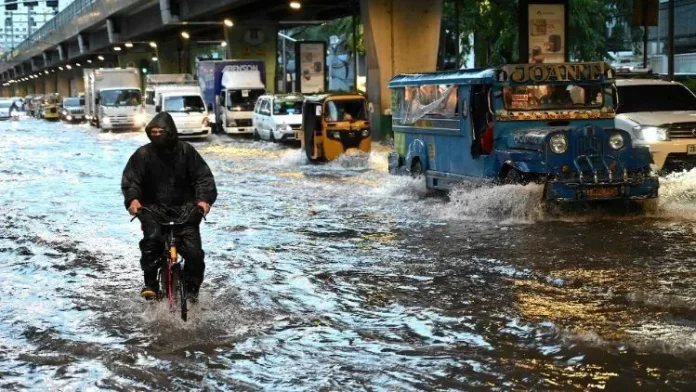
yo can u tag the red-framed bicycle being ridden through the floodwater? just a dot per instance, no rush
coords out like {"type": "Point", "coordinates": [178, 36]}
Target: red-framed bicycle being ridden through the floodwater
{"type": "Point", "coordinates": [170, 276]}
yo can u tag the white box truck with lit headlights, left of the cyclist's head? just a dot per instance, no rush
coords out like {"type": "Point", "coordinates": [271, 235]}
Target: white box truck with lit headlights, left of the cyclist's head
{"type": "Point", "coordinates": [113, 98]}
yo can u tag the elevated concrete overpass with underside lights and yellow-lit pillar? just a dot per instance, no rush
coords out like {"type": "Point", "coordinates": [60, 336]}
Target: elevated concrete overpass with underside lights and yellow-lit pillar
{"type": "Point", "coordinates": [400, 35]}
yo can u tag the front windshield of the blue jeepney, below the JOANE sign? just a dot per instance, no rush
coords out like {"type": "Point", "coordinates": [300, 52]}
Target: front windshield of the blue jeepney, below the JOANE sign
{"type": "Point", "coordinates": [553, 97]}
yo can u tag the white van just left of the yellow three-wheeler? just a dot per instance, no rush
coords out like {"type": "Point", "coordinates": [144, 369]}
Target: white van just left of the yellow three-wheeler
{"type": "Point", "coordinates": [278, 117]}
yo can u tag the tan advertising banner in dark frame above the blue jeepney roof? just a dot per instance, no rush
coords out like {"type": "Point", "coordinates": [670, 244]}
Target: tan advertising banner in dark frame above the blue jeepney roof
{"type": "Point", "coordinates": [547, 40]}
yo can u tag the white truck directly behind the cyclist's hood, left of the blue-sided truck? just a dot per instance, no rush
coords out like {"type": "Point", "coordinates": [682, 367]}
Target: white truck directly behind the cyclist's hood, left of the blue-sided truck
{"type": "Point", "coordinates": [180, 96]}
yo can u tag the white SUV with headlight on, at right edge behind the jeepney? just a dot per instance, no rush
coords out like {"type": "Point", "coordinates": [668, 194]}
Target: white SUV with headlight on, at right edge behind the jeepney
{"type": "Point", "coordinates": [661, 115]}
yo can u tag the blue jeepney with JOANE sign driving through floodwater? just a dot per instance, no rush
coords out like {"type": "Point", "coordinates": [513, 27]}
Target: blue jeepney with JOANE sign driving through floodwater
{"type": "Point", "coordinates": [551, 124]}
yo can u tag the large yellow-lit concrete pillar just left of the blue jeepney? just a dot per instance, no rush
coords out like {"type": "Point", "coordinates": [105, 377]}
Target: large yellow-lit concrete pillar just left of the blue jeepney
{"type": "Point", "coordinates": [400, 36]}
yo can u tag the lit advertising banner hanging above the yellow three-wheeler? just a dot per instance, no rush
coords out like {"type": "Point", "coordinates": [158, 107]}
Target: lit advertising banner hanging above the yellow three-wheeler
{"type": "Point", "coordinates": [311, 73]}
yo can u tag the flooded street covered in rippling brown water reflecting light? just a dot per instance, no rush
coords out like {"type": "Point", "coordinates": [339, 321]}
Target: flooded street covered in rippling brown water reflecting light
{"type": "Point", "coordinates": [335, 277]}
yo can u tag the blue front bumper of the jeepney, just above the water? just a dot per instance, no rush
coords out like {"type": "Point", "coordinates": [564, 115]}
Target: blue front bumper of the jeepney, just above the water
{"type": "Point", "coordinates": [627, 190]}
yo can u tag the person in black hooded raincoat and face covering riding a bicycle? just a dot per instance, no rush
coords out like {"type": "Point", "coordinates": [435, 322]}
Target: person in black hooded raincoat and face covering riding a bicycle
{"type": "Point", "coordinates": [170, 177]}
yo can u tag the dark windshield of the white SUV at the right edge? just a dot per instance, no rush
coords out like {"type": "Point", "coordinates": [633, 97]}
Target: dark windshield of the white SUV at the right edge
{"type": "Point", "coordinates": [655, 98]}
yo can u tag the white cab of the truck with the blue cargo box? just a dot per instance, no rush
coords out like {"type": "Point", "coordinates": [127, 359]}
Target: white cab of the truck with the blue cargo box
{"type": "Point", "coordinates": [240, 90]}
